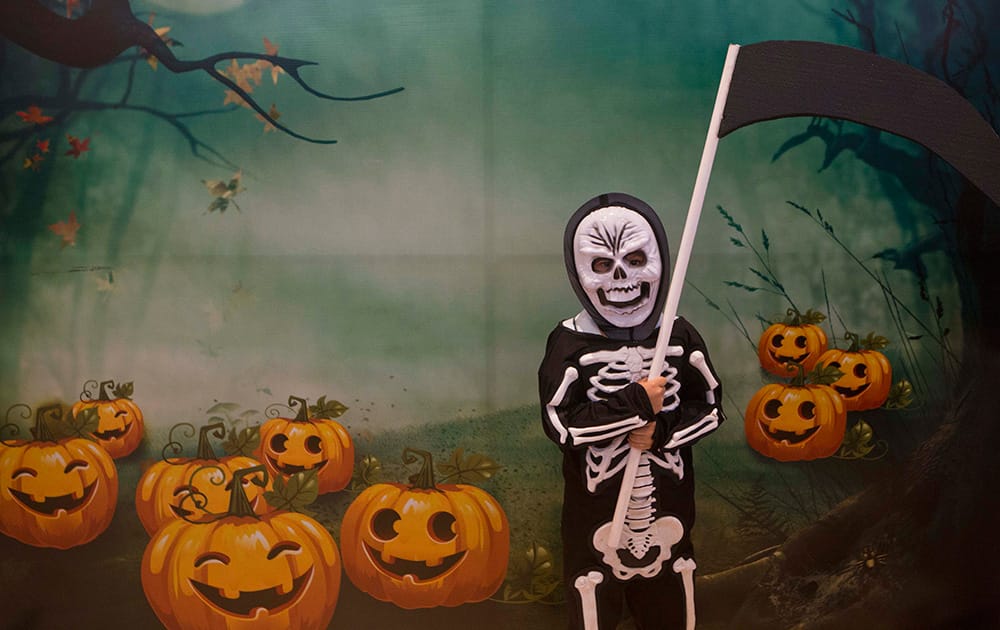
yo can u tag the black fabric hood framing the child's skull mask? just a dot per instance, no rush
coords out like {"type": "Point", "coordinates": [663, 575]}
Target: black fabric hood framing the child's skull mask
{"type": "Point", "coordinates": [646, 328]}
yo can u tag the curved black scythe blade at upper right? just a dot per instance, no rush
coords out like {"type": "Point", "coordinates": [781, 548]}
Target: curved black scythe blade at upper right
{"type": "Point", "coordinates": [779, 79]}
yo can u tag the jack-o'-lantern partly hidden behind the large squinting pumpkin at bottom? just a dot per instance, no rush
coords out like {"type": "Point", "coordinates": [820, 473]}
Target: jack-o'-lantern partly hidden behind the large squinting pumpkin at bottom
{"type": "Point", "coordinates": [195, 489]}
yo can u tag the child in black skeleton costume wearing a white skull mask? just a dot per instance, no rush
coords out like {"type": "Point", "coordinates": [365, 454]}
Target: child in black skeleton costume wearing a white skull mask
{"type": "Point", "coordinates": [598, 399]}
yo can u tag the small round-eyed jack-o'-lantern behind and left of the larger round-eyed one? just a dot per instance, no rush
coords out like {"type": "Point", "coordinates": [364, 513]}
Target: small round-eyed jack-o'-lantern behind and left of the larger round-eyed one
{"type": "Point", "coordinates": [309, 442]}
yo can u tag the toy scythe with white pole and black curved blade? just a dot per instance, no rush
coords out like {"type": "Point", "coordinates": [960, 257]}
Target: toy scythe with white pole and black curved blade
{"type": "Point", "coordinates": [781, 79]}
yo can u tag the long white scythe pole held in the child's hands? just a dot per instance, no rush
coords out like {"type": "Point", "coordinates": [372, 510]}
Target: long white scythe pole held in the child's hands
{"type": "Point", "coordinates": [677, 279]}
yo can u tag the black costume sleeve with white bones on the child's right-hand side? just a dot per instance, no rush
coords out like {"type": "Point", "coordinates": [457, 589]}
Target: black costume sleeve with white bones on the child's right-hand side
{"type": "Point", "coordinates": [700, 411]}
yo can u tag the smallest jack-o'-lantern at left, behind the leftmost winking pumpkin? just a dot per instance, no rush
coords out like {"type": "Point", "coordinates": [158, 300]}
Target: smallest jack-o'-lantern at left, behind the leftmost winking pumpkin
{"type": "Point", "coordinates": [121, 428]}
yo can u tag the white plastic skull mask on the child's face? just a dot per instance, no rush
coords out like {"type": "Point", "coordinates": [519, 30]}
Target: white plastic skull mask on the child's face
{"type": "Point", "coordinates": [618, 264]}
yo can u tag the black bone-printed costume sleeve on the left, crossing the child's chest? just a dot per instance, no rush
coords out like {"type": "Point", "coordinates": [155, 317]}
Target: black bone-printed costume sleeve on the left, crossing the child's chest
{"type": "Point", "coordinates": [569, 417]}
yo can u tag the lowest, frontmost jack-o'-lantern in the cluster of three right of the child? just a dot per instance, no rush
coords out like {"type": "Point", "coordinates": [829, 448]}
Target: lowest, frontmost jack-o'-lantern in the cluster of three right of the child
{"type": "Point", "coordinates": [797, 421]}
